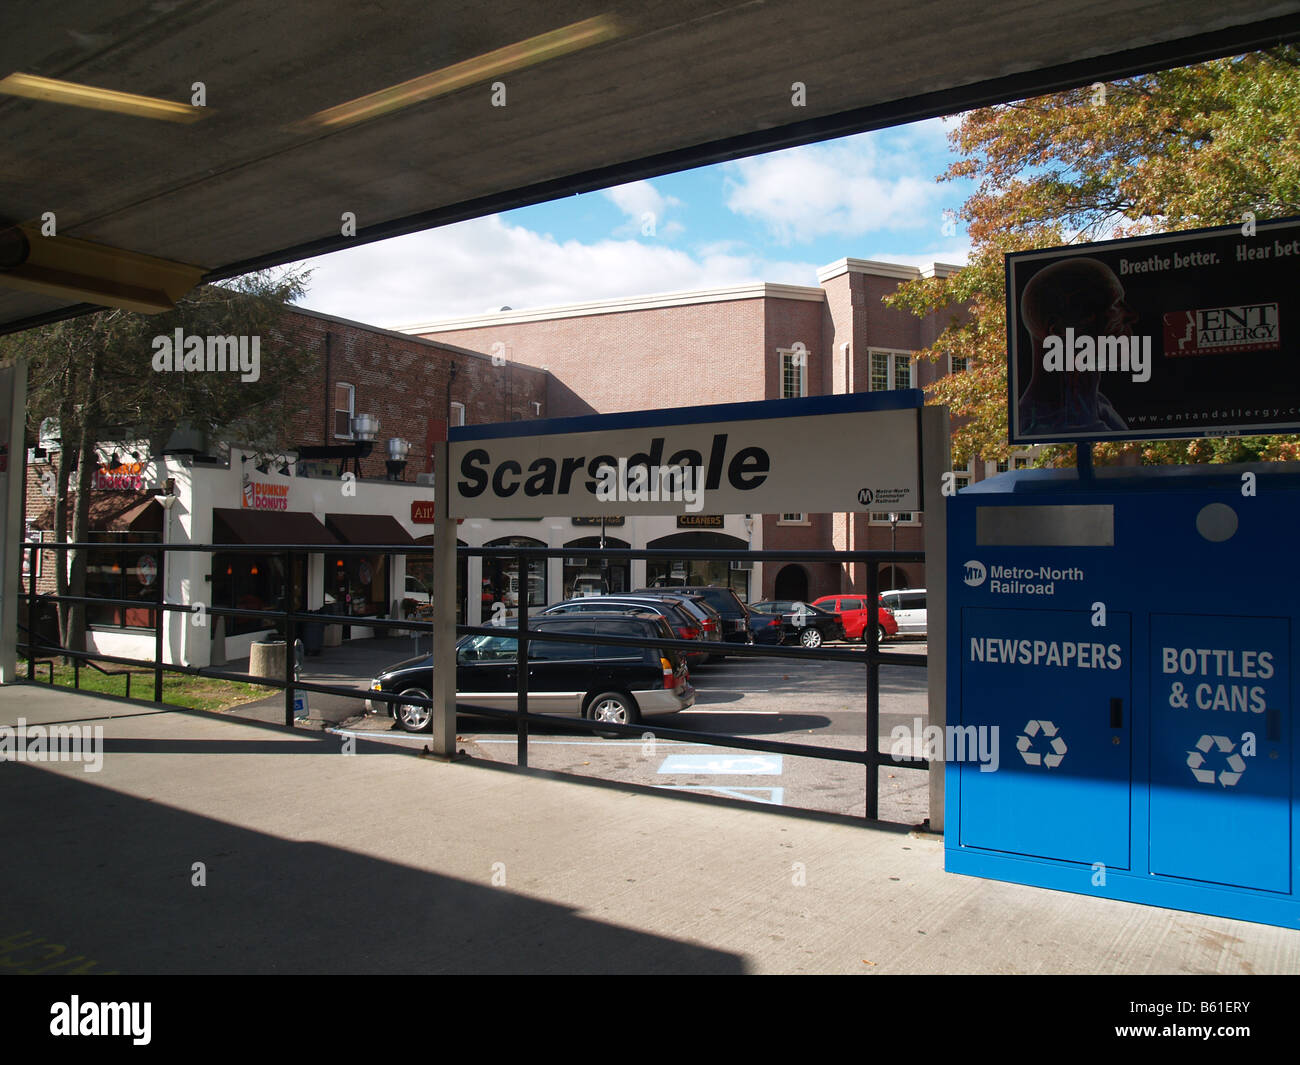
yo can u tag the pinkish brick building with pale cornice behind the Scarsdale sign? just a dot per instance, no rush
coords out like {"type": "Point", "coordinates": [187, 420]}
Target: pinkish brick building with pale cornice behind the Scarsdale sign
{"type": "Point", "coordinates": [746, 343]}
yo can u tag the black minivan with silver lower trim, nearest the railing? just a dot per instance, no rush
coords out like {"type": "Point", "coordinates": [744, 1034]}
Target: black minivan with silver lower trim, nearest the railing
{"type": "Point", "coordinates": [595, 681]}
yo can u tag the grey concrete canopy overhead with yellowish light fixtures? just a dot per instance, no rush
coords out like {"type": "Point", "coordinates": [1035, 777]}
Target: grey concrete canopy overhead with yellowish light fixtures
{"type": "Point", "coordinates": [596, 94]}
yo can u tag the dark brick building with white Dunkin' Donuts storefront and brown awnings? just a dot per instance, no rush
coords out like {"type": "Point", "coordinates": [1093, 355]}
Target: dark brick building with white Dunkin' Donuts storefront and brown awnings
{"type": "Point", "coordinates": [215, 492]}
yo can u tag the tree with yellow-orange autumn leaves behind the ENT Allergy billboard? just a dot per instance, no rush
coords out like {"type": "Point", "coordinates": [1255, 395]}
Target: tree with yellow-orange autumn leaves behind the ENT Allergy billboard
{"type": "Point", "coordinates": [1198, 146]}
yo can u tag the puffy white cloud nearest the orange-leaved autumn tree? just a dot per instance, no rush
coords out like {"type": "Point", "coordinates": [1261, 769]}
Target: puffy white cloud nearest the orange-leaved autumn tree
{"type": "Point", "coordinates": [847, 188]}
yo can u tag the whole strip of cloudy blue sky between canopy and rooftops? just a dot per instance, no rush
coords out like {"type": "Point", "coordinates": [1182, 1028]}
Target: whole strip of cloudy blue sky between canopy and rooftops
{"type": "Point", "coordinates": [774, 218]}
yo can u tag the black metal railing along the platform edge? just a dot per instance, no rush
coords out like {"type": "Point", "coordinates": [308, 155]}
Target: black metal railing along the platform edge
{"type": "Point", "coordinates": [872, 757]}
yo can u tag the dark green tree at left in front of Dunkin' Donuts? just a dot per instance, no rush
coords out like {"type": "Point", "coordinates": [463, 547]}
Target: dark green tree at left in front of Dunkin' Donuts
{"type": "Point", "coordinates": [96, 376]}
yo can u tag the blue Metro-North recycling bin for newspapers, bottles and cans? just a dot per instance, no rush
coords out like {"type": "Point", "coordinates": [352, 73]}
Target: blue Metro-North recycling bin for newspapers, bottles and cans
{"type": "Point", "coordinates": [1126, 644]}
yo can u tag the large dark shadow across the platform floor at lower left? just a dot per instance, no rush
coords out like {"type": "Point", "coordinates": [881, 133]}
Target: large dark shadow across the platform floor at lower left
{"type": "Point", "coordinates": [105, 885]}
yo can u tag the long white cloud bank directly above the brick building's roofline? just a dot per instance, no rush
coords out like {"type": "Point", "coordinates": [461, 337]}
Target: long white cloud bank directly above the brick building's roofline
{"type": "Point", "coordinates": [484, 265]}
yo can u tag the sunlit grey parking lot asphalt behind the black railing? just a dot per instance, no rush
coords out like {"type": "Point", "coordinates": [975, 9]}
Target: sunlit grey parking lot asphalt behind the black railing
{"type": "Point", "coordinates": [812, 703]}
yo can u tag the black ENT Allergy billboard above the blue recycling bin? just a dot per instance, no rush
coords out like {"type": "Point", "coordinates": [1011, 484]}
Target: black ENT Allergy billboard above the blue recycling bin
{"type": "Point", "coordinates": [1180, 335]}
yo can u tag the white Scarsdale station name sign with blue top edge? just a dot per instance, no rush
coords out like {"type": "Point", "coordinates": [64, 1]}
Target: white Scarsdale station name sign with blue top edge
{"type": "Point", "coordinates": [821, 454]}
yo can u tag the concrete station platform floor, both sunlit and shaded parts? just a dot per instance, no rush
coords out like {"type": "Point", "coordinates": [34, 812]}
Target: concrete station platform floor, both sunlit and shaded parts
{"type": "Point", "coordinates": [317, 861]}
